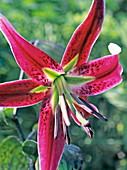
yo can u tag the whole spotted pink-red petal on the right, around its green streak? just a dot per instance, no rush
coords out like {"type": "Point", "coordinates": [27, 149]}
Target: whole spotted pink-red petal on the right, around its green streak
{"type": "Point", "coordinates": [107, 72]}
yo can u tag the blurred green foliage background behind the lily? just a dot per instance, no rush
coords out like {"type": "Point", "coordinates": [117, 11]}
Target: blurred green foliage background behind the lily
{"type": "Point", "coordinates": [55, 21]}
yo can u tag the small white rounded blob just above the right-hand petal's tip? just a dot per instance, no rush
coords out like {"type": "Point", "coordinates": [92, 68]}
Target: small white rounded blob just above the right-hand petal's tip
{"type": "Point", "coordinates": [114, 48]}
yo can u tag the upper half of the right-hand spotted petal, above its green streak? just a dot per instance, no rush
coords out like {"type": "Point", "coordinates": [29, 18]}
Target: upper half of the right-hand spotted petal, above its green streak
{"type": "Point", "coordinates": [96, 68]}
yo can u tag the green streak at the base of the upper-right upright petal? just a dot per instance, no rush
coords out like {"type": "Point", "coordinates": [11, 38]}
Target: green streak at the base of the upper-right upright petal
{"type": "Point", "coordinates": [71, 64]}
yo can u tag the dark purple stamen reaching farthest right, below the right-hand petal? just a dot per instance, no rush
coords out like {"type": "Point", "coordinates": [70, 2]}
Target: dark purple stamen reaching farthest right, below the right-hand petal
{"type": "Point", "coordinates": [81, 102]}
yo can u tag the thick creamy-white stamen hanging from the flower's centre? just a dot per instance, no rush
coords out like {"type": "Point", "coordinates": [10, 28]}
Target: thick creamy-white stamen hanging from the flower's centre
{"type": "Point", "coordinates": [63, 106]}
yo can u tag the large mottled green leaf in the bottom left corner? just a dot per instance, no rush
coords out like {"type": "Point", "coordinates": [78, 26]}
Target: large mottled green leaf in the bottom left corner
{"type": "Point", "coordinates": [11, 156]}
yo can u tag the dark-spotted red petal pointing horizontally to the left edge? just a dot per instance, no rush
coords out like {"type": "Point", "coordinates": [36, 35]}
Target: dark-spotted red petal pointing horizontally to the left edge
{"type": "Point", "coordinates": [17, 93]}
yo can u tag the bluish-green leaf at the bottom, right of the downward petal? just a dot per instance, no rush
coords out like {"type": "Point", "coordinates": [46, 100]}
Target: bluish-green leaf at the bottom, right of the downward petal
{"type": "Point", "coordinates": [72, 158]}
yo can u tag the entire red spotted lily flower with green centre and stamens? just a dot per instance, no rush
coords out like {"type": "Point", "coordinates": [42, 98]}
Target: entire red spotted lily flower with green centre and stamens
{"type": "Point", "coordinates": [62, 88]}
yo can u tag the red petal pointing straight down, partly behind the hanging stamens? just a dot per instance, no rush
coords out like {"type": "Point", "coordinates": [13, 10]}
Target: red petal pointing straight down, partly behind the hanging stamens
{"type": "Point", "coordinates": [50, 149]}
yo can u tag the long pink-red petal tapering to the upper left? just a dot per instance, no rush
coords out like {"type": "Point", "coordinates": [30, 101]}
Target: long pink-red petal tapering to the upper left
{"type": "Point", "coordinates": [29, 58]}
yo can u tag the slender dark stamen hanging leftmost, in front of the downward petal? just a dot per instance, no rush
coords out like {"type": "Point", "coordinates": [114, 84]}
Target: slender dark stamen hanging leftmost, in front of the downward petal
{"type": "Point", "coordinates": [57, 120]}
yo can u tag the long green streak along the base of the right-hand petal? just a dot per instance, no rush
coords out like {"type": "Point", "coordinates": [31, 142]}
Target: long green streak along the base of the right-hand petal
{"type": "Point", "coordinates": [78, 80]}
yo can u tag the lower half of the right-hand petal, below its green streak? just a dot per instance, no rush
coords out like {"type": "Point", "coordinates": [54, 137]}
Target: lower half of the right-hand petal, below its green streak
{"type": "Point", "coordinates": [103, 82]}
